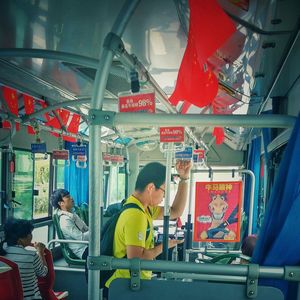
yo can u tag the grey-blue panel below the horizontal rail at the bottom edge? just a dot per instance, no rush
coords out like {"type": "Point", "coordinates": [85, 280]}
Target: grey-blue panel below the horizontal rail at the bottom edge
{"type": "Point", "coordinates": [178, 290]}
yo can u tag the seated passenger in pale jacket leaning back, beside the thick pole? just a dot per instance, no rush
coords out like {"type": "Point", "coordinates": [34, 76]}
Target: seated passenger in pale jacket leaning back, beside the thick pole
{"type": "Point", "coordinates": [70, 223]}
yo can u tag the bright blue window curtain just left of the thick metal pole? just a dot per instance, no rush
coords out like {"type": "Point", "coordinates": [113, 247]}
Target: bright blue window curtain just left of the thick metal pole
{"type": "Point", "coordinates": [77, 179]}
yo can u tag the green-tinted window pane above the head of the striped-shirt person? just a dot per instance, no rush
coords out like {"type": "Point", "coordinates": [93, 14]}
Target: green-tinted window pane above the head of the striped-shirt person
{"type": "Point", "coordinates": [23, 185]}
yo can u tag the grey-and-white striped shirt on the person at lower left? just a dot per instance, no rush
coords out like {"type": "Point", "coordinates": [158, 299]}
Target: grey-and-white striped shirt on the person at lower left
{"type": "Point", "coordinates": [30, 266]}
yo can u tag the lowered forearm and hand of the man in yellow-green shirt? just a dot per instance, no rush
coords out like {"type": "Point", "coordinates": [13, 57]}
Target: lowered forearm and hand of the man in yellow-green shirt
{"type": "Point", "coordinates": [150, 254]}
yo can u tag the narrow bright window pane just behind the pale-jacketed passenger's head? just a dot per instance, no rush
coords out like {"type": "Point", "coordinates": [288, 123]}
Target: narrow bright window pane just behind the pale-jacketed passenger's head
{"type": "Point", "coordinates": [41, 187]}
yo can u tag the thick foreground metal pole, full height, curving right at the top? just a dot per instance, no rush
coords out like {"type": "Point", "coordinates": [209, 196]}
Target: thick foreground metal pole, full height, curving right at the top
{"type": "Point", "coordinates": [95, 148]}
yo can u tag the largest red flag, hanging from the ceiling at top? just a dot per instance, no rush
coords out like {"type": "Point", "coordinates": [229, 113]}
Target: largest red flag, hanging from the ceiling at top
{"type": "Point", "coordinates": [209, 28]}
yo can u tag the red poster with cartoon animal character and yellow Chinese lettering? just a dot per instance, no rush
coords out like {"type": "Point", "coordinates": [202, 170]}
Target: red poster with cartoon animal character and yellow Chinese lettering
{"type": "Point", "coordinates": [217, 211]}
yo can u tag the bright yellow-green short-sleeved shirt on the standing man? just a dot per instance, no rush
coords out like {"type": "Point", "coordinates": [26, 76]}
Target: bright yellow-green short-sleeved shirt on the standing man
{"type": "Point", "coordinates": [131, 230]}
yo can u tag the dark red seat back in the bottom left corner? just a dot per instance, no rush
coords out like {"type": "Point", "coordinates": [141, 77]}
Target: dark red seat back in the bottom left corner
{"type": "Point", "coordinates": [10, 281]}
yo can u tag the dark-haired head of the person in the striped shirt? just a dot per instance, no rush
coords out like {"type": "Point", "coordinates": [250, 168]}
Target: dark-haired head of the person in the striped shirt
{"type": "Point", "coordinates": [18, 232]}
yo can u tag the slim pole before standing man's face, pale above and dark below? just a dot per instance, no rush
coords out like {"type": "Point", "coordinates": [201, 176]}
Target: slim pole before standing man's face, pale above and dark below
{"type": "Point", "coordinates": [167, 202]}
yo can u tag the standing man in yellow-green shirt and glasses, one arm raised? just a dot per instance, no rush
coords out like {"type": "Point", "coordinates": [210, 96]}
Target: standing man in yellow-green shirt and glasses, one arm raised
{"type": "Point", "coordinates": [131, 229]}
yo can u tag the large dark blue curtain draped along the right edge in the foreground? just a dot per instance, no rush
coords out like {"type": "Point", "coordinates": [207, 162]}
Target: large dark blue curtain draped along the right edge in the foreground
{"type": "Point", "coordinates": [279, 238]}
